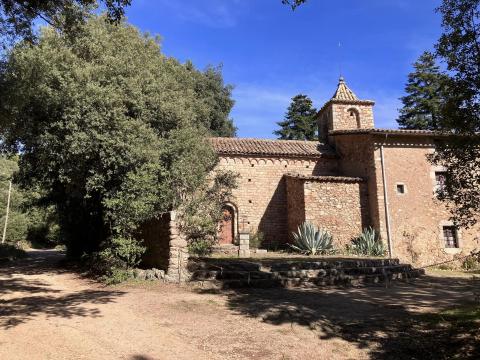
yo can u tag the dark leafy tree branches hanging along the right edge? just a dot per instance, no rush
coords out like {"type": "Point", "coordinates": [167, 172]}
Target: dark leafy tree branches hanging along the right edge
{"type": "Point", "coordinates": [459, 48]}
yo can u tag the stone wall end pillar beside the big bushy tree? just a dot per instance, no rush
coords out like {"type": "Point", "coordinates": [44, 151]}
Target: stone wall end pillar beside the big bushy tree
{"type": "Point", "coordinates": [166, 248]}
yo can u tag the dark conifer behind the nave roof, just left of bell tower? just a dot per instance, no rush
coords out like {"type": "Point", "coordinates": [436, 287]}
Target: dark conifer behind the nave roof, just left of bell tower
{"type": "Point", "coordinates": [299, 122]}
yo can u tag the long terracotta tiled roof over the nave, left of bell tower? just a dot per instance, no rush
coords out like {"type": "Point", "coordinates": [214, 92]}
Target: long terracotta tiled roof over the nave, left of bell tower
{"type": "Point", "coordinates": [287, 148]}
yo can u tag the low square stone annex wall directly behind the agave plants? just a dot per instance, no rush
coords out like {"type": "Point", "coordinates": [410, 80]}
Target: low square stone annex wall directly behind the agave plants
{"type": "Point", "coordinates": [338, 204]}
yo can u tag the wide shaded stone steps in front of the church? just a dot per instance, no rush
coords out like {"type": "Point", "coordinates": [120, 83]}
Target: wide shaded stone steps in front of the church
{"type": "Point", "coordinates": [236, 273]}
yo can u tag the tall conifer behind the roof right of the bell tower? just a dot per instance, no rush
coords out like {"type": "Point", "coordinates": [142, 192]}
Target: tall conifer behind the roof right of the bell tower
{"type": "Point", "coordinates": [421, 105]}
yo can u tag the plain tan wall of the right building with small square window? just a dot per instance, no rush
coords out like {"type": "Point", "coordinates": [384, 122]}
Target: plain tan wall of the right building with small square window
{"type": "Point", "coordinates": [417, 216]}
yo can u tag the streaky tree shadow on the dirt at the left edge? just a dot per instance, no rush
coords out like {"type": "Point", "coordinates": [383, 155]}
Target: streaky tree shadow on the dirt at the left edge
{"type": "Point", "coordinates": [24, 297]}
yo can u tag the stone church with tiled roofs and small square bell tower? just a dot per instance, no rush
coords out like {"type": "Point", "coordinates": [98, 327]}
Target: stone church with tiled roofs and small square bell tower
{"type": "Point", "coordinates": [353, 177]}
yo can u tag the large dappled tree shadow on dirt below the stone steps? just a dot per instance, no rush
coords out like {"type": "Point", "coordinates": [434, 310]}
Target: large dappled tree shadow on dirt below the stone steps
{"type": "Point", "coordinates": [399, 322]}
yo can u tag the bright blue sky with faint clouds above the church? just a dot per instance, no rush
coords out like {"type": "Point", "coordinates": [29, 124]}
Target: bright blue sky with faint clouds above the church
{"type": "Point", "coordinates": [270, 53]}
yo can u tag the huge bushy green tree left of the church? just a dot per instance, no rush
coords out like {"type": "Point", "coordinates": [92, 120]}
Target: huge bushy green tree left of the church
{"type": "Point", "coordinates": [113, 131]}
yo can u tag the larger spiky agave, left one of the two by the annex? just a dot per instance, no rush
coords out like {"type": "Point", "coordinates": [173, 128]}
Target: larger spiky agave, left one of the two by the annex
{"type": "Point", "coordinates": [312, 241]}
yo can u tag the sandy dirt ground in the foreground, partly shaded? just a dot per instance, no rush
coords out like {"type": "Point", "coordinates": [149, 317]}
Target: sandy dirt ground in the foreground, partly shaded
{"type": "Point", "coordinates": [48, 312]}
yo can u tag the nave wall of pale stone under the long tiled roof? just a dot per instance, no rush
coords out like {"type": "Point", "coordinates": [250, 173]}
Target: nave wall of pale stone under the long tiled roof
{"type": "Point", "coordinates": [261, 197]}
